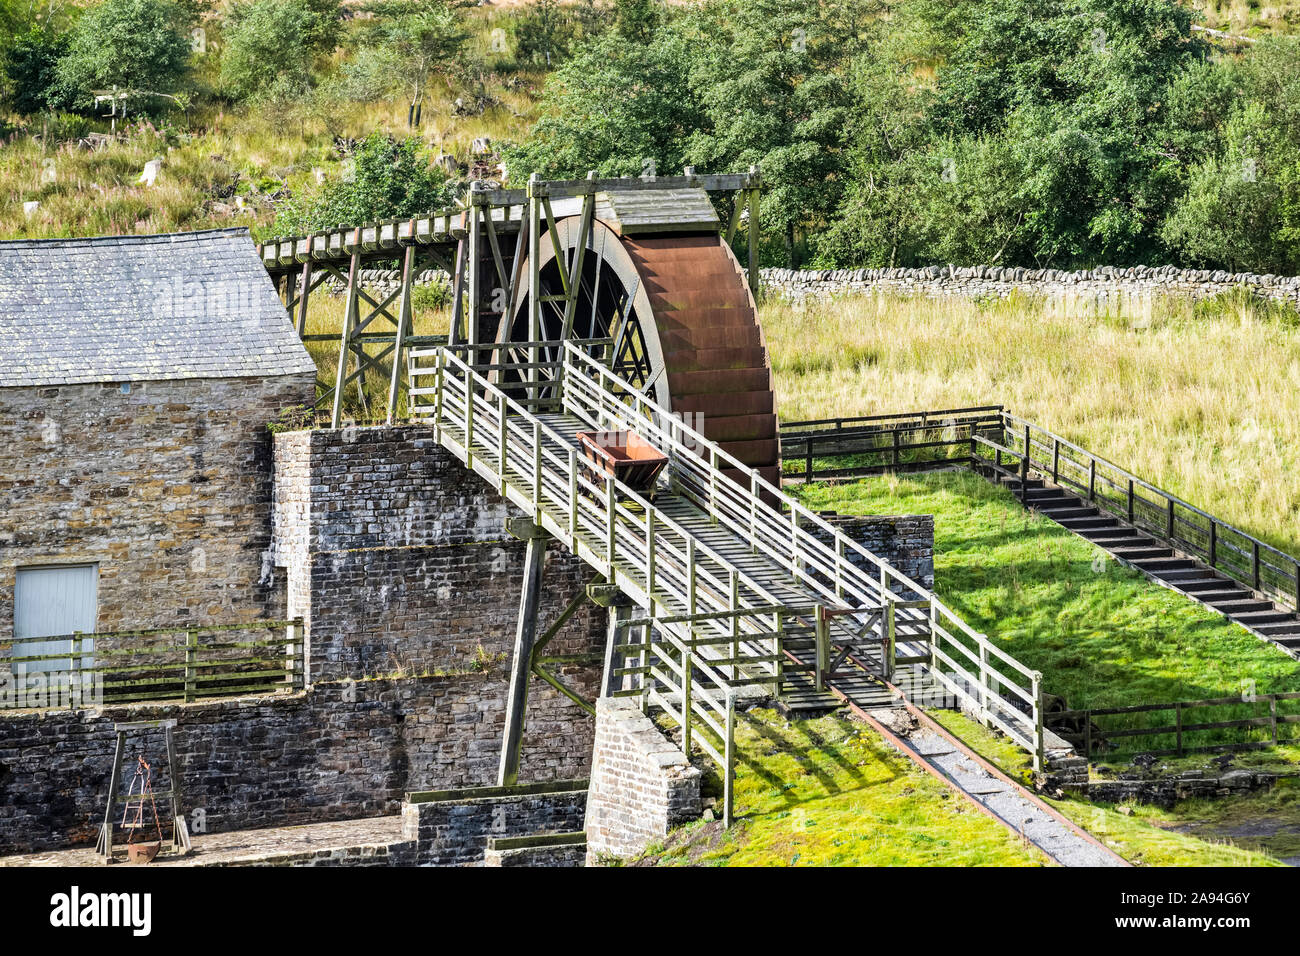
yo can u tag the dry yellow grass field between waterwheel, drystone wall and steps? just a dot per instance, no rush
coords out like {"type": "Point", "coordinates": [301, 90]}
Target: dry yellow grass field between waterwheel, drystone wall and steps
{"type": "Point", "coordinates": [1204, 403]}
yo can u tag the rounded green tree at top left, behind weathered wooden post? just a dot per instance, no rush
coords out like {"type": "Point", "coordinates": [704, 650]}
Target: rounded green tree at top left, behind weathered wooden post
{"type": "Point", "coordinates": [138, 46]}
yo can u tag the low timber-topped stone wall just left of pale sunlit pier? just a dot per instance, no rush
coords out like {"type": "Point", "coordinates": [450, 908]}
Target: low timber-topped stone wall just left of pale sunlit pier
{"type": "Point", "coordinates": [454, 829]}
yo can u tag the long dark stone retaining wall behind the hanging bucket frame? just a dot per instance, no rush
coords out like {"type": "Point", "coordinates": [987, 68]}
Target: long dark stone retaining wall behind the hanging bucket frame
{"type": "Point", "coordinates": [339, 751]}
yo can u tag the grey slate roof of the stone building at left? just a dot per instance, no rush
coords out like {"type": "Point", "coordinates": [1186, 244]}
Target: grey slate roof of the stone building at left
{"type": "Point", "coordinates": [141, 309]}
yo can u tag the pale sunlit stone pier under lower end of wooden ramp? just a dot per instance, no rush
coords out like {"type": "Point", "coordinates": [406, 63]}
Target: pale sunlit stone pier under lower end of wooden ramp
{"type": "Point", "coordinates": [642, 784]}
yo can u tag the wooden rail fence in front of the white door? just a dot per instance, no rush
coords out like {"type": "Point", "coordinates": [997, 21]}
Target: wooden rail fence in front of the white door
{"type": "Point", "coordinates": [153, 665]}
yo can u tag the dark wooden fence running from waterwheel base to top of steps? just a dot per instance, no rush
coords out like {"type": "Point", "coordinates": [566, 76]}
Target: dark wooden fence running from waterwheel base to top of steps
{"type": "Point", "coordinates": [874, 444]}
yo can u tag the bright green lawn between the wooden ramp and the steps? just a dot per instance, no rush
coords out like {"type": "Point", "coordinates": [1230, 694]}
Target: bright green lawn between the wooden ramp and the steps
{"type": "Point", "coordinates": [1103, 635]}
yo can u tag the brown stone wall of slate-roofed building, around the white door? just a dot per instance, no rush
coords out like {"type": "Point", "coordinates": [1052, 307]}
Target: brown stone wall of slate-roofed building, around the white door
{"type": "Point", "coordinates": [167, 488]}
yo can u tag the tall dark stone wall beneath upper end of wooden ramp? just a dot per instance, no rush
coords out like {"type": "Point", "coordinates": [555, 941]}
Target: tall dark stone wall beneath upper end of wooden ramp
{"type": "Point", "coordinates": [400, 561]}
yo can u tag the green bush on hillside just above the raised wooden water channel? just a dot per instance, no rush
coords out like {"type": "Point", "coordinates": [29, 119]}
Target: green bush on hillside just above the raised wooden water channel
{"type": "Point", "coordinates": [388, 179]}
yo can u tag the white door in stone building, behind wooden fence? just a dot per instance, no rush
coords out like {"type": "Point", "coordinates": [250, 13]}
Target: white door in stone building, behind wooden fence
{"type": "Point", "coordinates": [54, 602]}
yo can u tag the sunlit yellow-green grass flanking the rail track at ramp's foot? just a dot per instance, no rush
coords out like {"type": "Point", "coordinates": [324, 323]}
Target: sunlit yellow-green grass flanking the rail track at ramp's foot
{"type": "Point", "coordinates": [831, 793]}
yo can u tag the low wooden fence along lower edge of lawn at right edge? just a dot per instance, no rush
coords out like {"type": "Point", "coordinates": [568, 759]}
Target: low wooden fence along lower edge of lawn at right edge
{"type": "Point", "coordinates": [1250, 723]}
